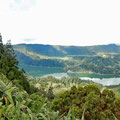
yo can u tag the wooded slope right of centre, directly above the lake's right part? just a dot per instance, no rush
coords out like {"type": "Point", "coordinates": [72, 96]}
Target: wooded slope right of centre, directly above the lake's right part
{"type": "Point", "coordinates": [98, 64]}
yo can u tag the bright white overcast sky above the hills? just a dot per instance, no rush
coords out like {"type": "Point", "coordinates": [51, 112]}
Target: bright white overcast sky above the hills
{"type": "Point", "coordinates": [60, 22]}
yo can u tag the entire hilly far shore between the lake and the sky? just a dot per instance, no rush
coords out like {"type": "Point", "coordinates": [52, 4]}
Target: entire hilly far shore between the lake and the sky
{"type": "Point", "coordinates": [103, 59]}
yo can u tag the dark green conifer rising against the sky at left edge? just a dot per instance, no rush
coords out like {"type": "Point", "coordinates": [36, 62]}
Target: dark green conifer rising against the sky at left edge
{"type": "Point", "coordinates": [9, 65]}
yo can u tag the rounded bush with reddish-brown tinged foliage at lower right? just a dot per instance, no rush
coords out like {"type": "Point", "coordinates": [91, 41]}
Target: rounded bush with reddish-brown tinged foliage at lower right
{"type": "Point", "coordinates": [95, 105]}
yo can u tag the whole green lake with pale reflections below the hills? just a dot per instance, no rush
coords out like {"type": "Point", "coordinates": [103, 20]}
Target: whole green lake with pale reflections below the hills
{"type": "Point", "coordinates": [36, 71]}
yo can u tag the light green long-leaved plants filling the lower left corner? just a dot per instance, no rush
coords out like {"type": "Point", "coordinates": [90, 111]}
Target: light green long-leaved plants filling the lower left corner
{"type": "Point", "coordinates": [17, 104]}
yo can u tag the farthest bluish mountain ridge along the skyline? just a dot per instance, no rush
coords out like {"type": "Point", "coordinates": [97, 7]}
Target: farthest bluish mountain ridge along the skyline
{"type": "Point", "coordinates": [60, 51]}
